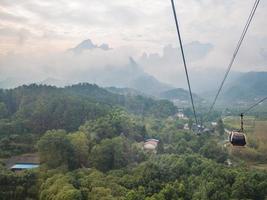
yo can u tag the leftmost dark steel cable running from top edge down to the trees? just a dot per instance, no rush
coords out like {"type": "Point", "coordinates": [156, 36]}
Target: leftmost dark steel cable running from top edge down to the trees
{"type": "Point", "coordinates": [184, 61]}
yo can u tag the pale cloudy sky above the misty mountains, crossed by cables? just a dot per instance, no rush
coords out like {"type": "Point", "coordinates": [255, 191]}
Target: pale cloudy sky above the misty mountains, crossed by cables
{"type": "Point", "coordinates": [35, 35]}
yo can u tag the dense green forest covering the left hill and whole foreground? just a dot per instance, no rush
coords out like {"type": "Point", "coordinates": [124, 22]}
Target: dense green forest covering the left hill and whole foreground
{"type": "Point", "coordinates": [90, 145]}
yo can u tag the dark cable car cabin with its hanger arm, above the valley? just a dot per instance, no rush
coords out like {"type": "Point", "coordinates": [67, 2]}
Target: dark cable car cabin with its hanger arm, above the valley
{"type": "Point", "coordinates": [238, 138]}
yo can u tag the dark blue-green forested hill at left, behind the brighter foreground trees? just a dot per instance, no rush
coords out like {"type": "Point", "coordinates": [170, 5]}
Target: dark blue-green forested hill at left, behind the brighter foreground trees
{"type": "Point", "coordinates": [37, 108]}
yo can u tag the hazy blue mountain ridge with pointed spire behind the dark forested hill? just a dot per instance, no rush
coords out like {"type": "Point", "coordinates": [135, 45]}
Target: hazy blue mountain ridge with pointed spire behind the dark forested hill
{"type": "Point", "coordinates": [129, 76]}
